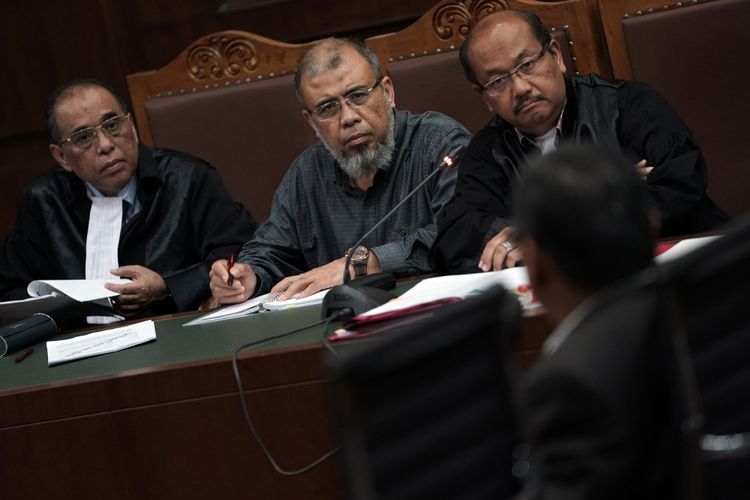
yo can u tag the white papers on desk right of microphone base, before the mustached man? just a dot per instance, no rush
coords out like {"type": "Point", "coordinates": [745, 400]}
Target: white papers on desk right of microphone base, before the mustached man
{"type": "Point", "coordinates": [514, 279]}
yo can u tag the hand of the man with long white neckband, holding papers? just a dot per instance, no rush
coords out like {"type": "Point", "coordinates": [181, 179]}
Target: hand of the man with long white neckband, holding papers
{"type": "Point", "coordinates": [147, 287]}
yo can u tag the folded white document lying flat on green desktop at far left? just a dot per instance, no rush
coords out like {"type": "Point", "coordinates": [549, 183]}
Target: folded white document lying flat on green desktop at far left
{"type": "Point", "coordinates": [103, 342]}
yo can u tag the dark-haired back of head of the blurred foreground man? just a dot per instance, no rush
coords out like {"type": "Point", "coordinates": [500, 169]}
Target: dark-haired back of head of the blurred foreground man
{"type": "Point", "coordinates": [588, 210]}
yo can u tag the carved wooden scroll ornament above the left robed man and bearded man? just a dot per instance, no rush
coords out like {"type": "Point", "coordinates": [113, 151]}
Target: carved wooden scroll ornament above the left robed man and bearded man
{"type": "Point", "coordinates": [220, 57]}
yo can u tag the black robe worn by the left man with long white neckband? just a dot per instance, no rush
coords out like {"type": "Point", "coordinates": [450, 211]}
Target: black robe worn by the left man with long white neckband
{"type": "Point", "coordinates": [187, 221]}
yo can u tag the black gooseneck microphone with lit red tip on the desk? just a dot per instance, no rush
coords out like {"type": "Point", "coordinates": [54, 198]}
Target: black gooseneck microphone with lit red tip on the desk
{"type": "Point", "coordinates": [357, 297]}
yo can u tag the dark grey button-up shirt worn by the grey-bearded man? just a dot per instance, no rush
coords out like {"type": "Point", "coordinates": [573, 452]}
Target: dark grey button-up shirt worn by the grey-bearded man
{"type": "Point", "coordinates": [317, 214]}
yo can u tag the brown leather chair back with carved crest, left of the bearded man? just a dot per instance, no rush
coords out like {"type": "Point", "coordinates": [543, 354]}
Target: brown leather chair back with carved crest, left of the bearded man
{"type": "Point", "coordinates": [228, 98]}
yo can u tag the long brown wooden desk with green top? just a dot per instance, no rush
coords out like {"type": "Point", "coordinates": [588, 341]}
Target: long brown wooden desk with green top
{"type": "Point", "coordinates": [163, 420]}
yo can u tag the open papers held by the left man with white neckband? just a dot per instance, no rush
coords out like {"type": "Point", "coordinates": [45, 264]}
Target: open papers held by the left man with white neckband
{"type": "Point", "coordinates": [63, 299]}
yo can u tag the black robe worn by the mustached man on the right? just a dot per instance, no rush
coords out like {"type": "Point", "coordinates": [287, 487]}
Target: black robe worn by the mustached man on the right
{"type": "Point", "coordinates": [626, 115]}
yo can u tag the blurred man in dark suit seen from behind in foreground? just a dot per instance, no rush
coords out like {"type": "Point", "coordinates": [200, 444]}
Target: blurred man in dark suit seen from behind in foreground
{"type": "Point", "coordinates": [599, 404]}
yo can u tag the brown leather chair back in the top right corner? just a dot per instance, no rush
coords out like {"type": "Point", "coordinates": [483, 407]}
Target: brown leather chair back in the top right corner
{"type": "Point", "coordinates": [692, 53]}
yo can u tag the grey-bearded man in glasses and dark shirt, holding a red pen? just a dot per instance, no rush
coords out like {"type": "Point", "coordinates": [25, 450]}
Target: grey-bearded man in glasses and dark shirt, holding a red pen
{"type": "Point", "coordinates": [368, 158]}
